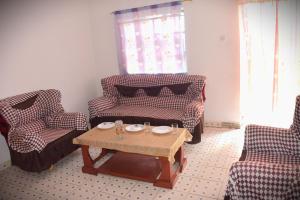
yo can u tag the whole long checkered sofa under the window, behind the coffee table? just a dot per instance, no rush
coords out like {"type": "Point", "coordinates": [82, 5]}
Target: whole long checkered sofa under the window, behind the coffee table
{"type": "Point", "coordinates": [160, 99]}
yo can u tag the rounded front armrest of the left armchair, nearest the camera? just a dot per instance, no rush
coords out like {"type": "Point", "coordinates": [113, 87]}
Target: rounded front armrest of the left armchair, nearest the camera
{"type": "Point", "coordinates": [26, 141]}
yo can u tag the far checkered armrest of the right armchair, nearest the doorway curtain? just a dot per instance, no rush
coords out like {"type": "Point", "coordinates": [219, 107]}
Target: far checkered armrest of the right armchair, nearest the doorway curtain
{"type": "Point", "coordinates": [276, 140]}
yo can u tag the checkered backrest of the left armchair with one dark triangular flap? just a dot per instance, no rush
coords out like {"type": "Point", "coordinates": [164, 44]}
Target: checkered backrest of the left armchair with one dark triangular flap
{"type": "Point", "coordinates": [25, 108]}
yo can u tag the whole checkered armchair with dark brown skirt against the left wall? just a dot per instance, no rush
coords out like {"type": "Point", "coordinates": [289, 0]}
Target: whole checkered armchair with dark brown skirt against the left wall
{"type": "Point", "coordinates": [37, 130]}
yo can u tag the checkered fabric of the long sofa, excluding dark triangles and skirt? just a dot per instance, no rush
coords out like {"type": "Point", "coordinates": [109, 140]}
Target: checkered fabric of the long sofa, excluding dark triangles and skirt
{"type": "Point", "coordinates": [187, 107]}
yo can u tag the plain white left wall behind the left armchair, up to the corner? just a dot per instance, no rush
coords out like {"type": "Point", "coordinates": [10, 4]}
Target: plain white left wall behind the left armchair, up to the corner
{"type": "Point", "coordinates": [47, 44]}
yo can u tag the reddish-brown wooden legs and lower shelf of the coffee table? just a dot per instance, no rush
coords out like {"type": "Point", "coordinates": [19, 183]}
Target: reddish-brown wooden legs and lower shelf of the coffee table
{"type": "Point", "coordinates": [151, 169]}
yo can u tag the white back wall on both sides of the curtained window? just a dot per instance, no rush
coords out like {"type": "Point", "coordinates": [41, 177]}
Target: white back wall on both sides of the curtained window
{"type": "Point", "coordinates": [212, 48]}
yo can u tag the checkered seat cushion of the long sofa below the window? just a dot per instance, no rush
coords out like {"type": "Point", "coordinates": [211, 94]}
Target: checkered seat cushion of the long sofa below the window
{"type": "Point", "coordinates": [142, 111]}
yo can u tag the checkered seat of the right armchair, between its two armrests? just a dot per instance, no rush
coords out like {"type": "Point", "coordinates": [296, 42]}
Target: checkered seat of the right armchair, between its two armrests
{"type": "Point", "coordinates": [269, 157]}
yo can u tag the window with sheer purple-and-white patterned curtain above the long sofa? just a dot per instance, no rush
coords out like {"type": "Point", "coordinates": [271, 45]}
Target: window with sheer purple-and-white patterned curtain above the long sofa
{"type": "Point", "coordinates": [151, 39]}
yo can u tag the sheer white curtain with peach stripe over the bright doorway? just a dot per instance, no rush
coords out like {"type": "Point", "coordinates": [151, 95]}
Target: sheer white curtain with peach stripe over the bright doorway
{"type": "Point", "coordinates": [270, 60]}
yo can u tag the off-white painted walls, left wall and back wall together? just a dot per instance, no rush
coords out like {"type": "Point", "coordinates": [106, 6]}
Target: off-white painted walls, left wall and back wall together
{"type": "Point", "coordinates": [70, 45]}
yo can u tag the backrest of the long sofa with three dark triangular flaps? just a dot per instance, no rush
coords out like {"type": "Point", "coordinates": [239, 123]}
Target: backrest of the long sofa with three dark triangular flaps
{"type": "Point", "coordinates": [161, 85]}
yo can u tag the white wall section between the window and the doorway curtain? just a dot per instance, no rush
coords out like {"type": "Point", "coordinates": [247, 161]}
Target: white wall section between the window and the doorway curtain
{"type": "Point", "coordinates": [213, 50]}
